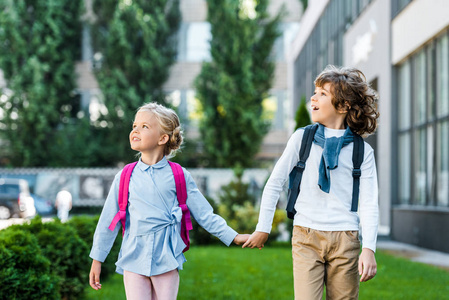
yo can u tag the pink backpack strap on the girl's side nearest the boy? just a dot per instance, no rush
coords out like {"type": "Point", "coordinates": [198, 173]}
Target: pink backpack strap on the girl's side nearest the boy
{"type": "Point", "coordinates": [181, 194]}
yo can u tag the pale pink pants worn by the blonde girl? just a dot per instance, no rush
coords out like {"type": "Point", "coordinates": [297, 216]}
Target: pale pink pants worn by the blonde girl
{"type": "Point", "coordinates": [162, 287]}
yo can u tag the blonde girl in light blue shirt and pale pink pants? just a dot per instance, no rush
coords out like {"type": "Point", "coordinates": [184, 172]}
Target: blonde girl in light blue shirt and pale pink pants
{"type": "Point", "coordinates": [151, 251]}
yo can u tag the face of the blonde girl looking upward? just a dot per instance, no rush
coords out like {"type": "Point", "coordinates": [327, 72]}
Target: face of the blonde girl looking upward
{"type": "Point", "coordinates": [146, 136]}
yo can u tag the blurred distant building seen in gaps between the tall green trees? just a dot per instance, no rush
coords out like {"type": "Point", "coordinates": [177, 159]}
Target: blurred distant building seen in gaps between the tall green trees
{"type": "Point", "coordinates": [193, 49]}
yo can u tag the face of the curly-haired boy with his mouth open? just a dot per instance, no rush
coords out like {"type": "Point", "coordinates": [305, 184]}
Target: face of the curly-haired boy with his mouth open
{"type": "Point", "coordinates": [323, 111]}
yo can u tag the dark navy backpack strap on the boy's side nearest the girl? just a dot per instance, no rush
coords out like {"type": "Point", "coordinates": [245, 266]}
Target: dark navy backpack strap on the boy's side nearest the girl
{"type": "Point", "coordinates": [296, 174]}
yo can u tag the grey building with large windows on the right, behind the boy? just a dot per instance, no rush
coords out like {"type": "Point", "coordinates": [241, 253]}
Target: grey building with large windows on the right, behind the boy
{"type": "Point", "coordinates": [407, 63]}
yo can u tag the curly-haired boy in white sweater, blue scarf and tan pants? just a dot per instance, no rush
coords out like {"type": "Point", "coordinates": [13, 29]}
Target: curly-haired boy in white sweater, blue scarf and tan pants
{"type": "Point", "coordinates": [325, 242]}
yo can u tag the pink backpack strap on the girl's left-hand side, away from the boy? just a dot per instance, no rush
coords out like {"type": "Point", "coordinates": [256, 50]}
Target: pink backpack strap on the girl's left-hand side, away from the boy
{"type": "Point", "coordinates": [123, 191]}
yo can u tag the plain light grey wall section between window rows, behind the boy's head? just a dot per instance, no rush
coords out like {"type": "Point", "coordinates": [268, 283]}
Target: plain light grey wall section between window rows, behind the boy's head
{"type": "Point", "coordinates": [367, 47]}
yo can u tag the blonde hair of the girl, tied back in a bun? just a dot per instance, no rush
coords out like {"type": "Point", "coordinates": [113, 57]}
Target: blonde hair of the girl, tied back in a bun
{"type": "Point", "coordinates": [169, 123]}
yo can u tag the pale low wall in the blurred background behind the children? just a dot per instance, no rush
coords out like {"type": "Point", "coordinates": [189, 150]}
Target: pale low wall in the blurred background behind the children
{"type": "Point", "coordinates": [90, 186]}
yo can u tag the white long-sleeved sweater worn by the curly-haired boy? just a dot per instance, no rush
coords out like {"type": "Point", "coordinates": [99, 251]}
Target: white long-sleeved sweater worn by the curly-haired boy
{"type": "Point", "coordinates": [319, 210]}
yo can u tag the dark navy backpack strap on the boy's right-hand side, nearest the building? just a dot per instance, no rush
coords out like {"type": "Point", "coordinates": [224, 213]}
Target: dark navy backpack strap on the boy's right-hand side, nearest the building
{"type": "Point", "coordinates": [357, 160]}
